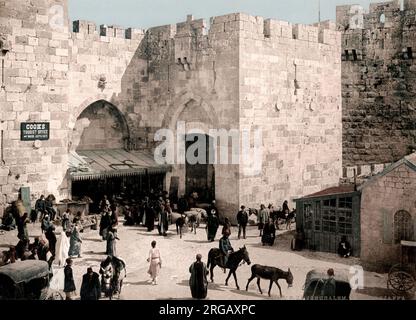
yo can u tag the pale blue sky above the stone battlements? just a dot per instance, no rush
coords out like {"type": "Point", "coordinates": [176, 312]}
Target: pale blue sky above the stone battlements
{"type": "Point", "coordinates": [151, 13]}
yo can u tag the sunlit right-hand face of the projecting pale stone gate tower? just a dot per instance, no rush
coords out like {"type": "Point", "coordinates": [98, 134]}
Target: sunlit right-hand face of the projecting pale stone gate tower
{"type": "Point", "coordinates": [290, 88]}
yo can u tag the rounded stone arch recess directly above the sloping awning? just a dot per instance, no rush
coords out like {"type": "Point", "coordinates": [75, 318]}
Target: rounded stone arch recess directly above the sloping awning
{"type": "Point", "coordinates": [87, 115]}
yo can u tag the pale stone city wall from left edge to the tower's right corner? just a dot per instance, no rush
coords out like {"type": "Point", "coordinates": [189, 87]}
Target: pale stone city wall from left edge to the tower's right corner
{"type": "Point", "coordinates": [239, 72]}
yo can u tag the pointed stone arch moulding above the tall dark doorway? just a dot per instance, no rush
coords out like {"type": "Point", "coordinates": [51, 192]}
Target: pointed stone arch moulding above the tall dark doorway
{"type": "Point", "coordinates": [181, 103]}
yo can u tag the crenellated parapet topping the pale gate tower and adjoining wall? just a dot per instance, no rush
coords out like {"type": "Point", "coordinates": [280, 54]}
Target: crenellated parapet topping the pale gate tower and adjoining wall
{"type": "Point", "coordinates": [256, 26]}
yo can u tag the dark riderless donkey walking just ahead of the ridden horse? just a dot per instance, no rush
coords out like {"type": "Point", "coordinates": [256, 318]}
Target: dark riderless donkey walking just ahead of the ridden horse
{"type": "Point", "coordinates": [272, 274]}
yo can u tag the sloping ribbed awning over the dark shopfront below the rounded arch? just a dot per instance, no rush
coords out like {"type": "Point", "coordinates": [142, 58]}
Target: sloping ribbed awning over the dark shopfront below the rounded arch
{"type": "Point", "coordinates": [110, 163]}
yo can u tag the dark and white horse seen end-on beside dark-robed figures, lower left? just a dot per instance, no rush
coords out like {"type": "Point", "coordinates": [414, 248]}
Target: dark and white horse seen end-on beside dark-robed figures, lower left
{"type": "Point", "coordinates": [111, 276]}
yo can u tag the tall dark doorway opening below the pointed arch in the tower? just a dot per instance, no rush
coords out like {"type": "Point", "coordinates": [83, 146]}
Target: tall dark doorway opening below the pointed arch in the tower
{"type": "Point", "coordinates": [200, 177]}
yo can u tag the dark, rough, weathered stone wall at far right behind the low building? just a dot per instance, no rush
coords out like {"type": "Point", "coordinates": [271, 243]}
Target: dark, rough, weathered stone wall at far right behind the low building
{"type": "Point", "coordinates": [378, 82]}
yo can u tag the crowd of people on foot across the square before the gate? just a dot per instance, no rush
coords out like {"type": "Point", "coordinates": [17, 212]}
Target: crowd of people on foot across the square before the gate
{"type": "Point", "coordinates": [151, 208]}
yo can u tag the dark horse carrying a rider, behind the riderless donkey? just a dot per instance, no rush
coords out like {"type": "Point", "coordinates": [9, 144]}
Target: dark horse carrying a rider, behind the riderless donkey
{"type": "Point", "coordinates": [234, 260]}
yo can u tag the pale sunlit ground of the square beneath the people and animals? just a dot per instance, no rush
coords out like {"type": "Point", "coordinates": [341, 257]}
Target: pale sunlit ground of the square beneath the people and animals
{"type": "Point", "coordinates": [178, 254]}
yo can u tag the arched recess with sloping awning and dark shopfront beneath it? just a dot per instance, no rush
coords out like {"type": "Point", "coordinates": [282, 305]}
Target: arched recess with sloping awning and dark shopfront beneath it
{"type": "Point", "coordinates": [102, 162]}
